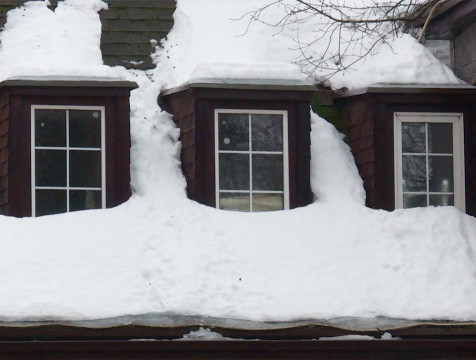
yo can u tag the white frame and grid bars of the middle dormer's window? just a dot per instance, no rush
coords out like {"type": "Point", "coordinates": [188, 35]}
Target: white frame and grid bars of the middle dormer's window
{"type": "Point", "coordinates": [250, 153]}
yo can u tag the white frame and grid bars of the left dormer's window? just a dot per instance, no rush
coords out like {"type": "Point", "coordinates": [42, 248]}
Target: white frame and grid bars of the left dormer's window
{"type": "Point", "coordinates": [67, 148]}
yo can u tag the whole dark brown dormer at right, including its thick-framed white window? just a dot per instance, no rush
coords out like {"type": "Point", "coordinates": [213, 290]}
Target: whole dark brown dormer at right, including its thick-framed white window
{"type": "Point", "coordinates": [413, 144]}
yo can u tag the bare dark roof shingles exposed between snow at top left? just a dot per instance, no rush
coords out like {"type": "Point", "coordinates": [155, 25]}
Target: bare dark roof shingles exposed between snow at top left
{"type": "Point", "coordinates": [127, 29]}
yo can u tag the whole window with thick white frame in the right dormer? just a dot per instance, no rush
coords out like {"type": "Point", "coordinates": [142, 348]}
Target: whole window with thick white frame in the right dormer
{"type": "Point", "coordinates": [429, 160]}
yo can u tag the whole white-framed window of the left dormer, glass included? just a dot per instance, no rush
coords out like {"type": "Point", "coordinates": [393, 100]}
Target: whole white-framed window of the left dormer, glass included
{"type": "Point", "coordinates": [68, 158]}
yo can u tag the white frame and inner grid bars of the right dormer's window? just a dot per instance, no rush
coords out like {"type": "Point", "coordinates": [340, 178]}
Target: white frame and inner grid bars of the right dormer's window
{"type": "Point", "coordinates": [456, 120]}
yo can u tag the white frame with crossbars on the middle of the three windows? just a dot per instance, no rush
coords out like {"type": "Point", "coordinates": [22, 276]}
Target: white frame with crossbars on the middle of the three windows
{"type": "Point", "coordinates": [285, 154]}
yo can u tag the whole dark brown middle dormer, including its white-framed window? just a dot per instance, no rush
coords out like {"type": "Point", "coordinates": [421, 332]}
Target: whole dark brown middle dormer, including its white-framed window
{"type": "Point", "coordinates": [245, 144]}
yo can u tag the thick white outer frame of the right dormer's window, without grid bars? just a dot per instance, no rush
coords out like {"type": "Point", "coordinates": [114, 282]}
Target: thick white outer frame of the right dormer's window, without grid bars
{"type": "Point", "coordinates": [456, 119]}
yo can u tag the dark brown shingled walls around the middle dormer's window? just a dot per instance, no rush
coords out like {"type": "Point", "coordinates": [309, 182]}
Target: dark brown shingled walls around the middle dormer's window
{"type": "Point", "coordinates": [193, 109]}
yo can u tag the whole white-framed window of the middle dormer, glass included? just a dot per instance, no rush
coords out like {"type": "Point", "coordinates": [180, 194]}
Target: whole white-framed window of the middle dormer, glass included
{"type": "Point", "coordinates": [251, 160]}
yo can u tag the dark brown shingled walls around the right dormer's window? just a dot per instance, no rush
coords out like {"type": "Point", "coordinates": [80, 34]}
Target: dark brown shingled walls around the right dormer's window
{"type": "Point", "coordinates": [369, 116]}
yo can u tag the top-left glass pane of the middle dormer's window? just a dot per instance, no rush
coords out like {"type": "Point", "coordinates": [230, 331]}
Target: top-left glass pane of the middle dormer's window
{"type": "Point", "coordinates": [233, 132]}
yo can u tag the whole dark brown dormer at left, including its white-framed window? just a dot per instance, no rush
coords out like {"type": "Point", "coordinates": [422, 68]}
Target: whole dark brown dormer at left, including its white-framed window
{"type": "Point", "coordinates": [64, 145]}
